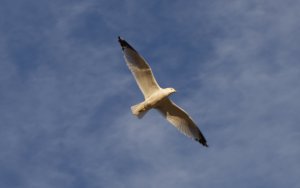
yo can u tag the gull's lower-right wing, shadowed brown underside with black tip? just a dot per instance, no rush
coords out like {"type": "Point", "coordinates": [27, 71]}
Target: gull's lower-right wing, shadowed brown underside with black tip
{"type": "Point", "coordinates": [181, 120]}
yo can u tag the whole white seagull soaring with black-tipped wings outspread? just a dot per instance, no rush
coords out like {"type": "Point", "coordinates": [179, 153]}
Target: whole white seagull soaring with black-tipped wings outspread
{"type": "Point", "coordinates": [157, 97]}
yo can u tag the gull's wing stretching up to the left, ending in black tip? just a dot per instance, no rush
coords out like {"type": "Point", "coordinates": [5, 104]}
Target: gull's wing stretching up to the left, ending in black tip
{"type": "Point", "coordinates": [140, 69]}
